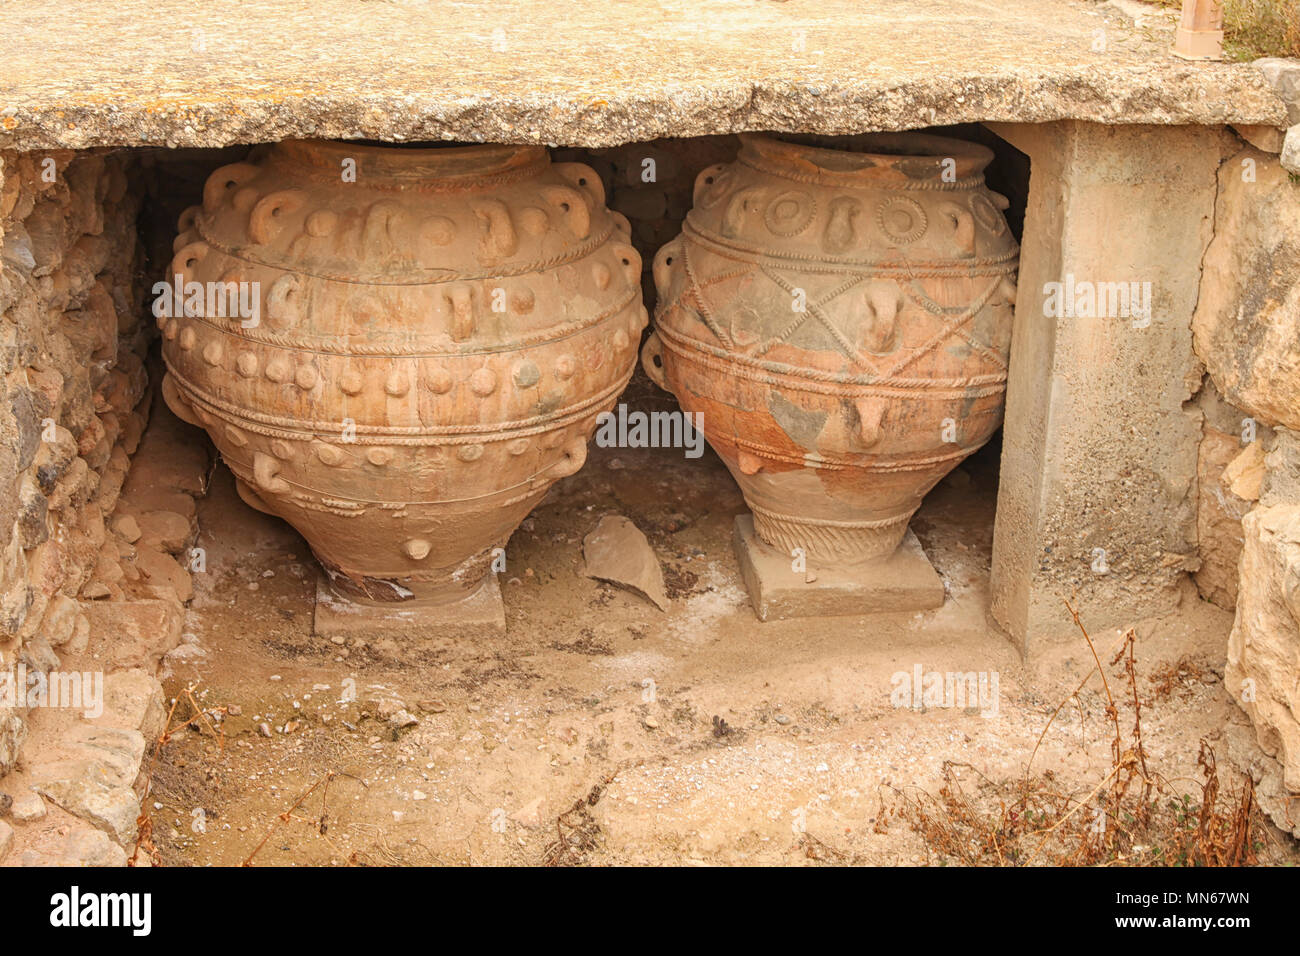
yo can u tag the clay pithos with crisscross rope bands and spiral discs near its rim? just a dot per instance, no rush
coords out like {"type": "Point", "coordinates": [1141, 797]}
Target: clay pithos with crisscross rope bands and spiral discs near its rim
{"type": "Point", "coordinates": [840, 315]}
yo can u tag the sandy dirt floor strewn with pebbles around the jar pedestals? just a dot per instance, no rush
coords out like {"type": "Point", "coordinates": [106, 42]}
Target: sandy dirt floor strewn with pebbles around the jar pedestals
{"type": "Point", "coordinates": [604, 732]}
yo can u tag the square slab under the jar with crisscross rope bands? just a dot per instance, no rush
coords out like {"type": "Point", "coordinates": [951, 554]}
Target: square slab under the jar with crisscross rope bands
{"type": "Point", "coordinates": [904, 582]}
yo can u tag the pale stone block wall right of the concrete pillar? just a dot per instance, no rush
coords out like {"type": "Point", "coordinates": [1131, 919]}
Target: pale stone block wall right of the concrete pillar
{"type": "Point", "coordinates": [1247, 332]}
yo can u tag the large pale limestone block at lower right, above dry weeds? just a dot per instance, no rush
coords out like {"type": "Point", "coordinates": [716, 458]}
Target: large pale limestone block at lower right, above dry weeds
{"type": "Point", "coordinates": [1264, 648]}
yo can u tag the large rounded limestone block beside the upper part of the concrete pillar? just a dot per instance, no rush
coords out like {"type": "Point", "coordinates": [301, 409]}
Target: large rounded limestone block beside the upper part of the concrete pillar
{"type": "Point", "coordinates": [1247, 323]}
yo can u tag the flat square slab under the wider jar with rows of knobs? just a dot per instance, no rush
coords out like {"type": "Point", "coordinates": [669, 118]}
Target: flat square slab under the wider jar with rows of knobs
{"type": "Point", "coordinates": [479, 616]}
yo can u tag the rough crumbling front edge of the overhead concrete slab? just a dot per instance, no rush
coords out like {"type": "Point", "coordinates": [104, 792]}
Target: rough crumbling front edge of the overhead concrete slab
{"type": "Point", "coordinates": [1145, 97]}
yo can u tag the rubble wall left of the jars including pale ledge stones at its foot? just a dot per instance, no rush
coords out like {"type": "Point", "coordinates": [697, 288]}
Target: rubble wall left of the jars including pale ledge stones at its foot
{"type": "Point", "coordinates": [98, 518]}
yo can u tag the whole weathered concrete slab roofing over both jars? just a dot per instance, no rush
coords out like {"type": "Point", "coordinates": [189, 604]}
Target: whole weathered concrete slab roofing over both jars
{"type": "Point", "coordinates": [584, 73]}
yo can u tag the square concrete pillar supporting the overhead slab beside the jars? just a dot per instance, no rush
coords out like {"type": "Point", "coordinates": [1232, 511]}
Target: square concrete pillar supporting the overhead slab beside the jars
{"type": "Point", "coordinates": [1097, 498]}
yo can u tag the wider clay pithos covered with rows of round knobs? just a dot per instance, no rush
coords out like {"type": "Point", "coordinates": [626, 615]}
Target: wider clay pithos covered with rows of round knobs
{"type": "Point", "coordinates": [439, 331]}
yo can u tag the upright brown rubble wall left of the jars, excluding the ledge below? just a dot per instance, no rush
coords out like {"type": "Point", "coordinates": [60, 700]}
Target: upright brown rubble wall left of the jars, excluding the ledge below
{"type": "Point", "coordinates": [75, 378]}
